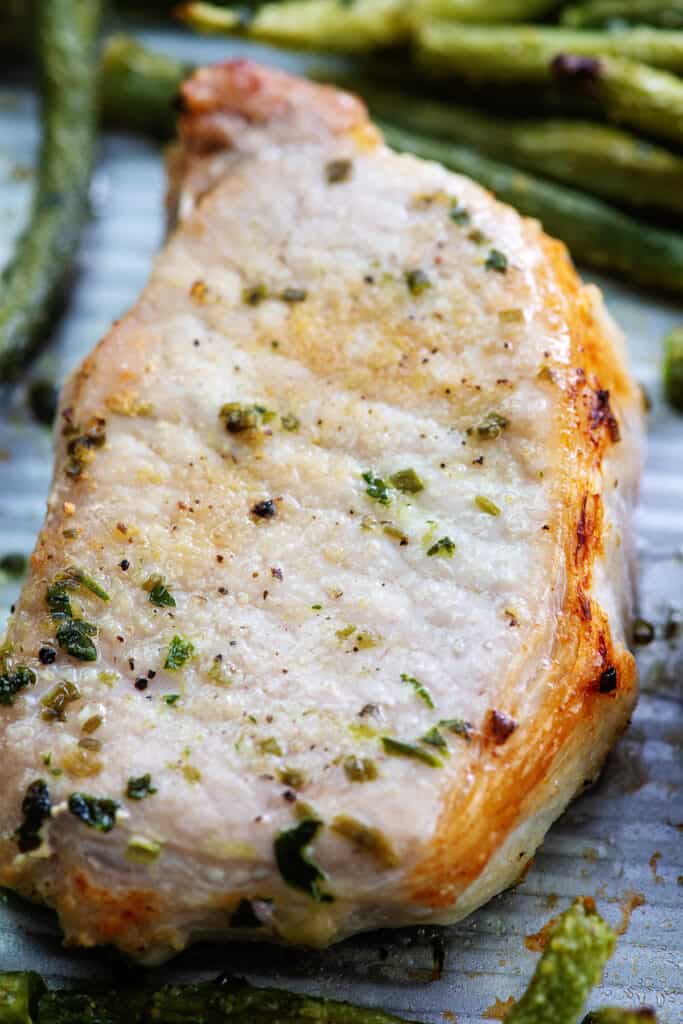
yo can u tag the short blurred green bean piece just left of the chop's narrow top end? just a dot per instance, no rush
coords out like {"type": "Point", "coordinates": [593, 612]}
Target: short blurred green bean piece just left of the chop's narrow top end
{"type": "Point", "coordinates": [138, 88]}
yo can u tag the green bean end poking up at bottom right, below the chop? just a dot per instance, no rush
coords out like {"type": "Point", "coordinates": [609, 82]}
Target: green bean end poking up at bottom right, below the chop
{"type": "Point", "coordinates": [578, 950]}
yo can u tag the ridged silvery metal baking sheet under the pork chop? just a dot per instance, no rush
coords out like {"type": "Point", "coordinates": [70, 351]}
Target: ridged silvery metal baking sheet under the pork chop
{"type": "Point", "coordinates": [622, 843]}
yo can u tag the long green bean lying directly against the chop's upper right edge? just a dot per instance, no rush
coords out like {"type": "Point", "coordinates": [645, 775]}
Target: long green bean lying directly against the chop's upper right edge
{"type": "Point", "coordinates": [597, 234]}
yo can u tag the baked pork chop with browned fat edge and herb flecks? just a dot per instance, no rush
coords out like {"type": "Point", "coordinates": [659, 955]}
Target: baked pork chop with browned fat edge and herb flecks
{"type": "Point", "coordinates": [327, 621]}
